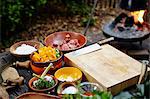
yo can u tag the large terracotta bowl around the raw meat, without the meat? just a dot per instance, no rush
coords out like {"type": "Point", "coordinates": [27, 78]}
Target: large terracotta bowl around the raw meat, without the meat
{"type": "Point", "coordinates": [58, 37]}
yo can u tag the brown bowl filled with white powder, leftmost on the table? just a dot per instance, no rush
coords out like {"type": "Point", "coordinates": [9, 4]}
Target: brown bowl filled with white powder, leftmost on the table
{"type": "Point", "coordinates": [24, 48]}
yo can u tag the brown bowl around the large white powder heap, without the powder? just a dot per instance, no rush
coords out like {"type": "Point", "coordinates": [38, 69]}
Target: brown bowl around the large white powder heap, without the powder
{"type": "Point", "coordinates": [31, 43]}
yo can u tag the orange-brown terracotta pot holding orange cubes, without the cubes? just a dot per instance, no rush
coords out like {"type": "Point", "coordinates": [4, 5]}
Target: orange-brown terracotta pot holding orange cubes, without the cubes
{"type": "Point", "coordinates": [39, 67]}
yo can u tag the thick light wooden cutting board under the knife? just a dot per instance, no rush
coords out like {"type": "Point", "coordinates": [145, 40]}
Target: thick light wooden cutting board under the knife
{"type": "Point", "coordinates": [109, 67]}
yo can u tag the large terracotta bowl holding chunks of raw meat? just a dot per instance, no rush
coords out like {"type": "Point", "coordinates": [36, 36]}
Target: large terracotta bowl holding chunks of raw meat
{"type": "Point", "coordinates": [66, 40]}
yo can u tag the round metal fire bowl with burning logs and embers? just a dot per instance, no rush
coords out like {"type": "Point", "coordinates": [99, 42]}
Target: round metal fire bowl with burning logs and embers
{"type": "Point", "coordinates": [128, 27]}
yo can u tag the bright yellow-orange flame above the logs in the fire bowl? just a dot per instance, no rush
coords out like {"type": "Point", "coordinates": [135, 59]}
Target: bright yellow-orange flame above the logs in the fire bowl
{"type": "Point", "coordinates": [138, 16]}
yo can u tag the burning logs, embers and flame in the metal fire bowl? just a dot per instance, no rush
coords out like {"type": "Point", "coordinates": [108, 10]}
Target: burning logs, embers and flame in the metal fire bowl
{"type": "Point", "coordinates": [133, 21]}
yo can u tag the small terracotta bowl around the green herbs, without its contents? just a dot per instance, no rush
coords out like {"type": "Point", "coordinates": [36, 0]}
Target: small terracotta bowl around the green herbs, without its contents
{"type": "Point", "coordinates": [42, 90]}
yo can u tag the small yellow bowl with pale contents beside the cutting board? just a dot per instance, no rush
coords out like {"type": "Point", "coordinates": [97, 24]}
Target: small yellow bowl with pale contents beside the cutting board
{"type": "Point", "coordinates": [68, 74]}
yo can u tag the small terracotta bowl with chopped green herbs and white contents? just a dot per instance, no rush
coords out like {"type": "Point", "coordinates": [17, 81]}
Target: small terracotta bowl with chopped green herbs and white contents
{"type": "Point", "coordinates": [46, 83]}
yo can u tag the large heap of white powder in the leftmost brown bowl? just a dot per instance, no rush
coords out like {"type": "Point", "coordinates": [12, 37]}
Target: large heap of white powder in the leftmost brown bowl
{"type": "Point", "coordinates": [25, 49]}
